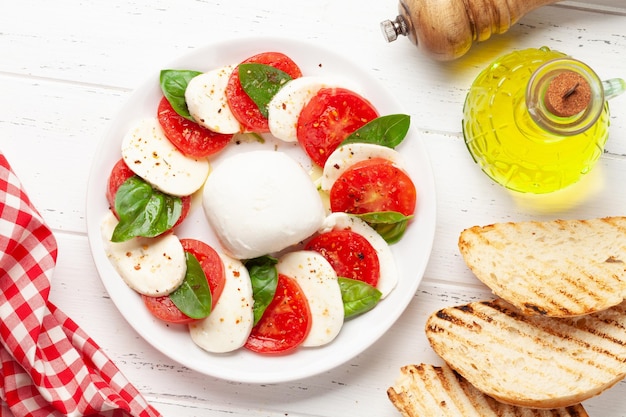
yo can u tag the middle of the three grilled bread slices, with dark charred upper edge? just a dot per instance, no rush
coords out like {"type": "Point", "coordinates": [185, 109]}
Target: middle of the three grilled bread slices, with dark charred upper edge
{"type": "Point", "coordinates": [531, 361]}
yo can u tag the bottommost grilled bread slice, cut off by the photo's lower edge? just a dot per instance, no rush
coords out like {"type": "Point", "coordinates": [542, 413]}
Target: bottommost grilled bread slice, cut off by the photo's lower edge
{"type": "Point", "coordinates": [438, 391]}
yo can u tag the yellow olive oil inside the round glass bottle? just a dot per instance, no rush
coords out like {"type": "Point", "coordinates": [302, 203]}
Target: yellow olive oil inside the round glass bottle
{"type": "Point", "coordinates": [507, 141]}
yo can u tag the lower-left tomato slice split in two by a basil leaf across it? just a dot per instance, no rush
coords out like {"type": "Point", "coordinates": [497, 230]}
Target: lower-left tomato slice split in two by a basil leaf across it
{"type": "Point", "coordinates": [164, 308]}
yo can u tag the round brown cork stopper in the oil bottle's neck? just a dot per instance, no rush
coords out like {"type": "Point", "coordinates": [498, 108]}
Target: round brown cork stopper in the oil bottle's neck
{"type": "Point", "coordinates": [568, 94]}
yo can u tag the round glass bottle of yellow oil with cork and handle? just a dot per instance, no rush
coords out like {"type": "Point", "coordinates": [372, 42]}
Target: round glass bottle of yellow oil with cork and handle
{"type": "Point", "coordinates": [536, 120]}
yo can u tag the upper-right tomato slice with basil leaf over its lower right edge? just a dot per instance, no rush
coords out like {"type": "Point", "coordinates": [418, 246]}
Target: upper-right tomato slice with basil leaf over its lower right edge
{"type": "Point", "coordinates": [330, 117]}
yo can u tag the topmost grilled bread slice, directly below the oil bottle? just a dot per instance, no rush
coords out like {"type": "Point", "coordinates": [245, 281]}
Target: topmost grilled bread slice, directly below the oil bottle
{"type": "Point", "coordinates": [560, 268]}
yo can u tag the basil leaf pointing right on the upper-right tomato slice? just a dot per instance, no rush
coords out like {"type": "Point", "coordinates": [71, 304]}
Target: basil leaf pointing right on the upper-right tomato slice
{"type": "Point", "coordinates": [387, 131]}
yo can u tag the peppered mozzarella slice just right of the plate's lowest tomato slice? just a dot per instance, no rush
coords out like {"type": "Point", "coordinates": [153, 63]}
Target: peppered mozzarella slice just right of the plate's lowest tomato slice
{"type": "Point", "coordinates": [318, 281]}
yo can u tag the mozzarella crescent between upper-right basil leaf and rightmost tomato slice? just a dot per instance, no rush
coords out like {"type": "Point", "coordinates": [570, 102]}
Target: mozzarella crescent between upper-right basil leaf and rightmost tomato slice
{"type": "Point", "coordinates": [347, 155]}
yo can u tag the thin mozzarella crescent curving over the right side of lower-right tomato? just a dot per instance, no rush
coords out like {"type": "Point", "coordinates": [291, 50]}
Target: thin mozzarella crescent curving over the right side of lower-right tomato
{"type": "Point", "coordinates": [388, 270]}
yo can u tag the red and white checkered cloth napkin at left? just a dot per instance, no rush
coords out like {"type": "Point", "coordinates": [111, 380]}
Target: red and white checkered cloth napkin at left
{"type": "Point", "coordinates": [50, 367]}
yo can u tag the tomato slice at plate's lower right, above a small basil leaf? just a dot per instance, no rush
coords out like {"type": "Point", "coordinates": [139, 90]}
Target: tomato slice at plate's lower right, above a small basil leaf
{"type": "Point", "coordinates": [350, 254]}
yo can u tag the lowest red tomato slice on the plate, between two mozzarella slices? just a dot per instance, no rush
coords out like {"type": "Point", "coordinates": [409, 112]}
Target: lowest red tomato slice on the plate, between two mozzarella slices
{"type": "Point", "coordinates": [285, 323]}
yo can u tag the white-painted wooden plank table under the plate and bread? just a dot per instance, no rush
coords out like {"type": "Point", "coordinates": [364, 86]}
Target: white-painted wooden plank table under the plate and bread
{"type": "Point", "coordinates": [67, 66]}
